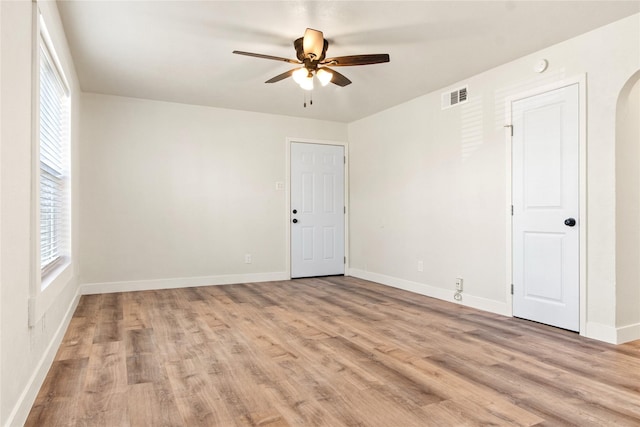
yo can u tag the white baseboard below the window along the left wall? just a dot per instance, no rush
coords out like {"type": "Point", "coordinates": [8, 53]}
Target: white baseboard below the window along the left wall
{"type": "Point", "coordinates": [25, 402]}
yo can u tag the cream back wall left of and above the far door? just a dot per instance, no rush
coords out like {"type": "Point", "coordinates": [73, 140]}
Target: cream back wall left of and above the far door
{"type": "Point", "coordinates": [176, 195]}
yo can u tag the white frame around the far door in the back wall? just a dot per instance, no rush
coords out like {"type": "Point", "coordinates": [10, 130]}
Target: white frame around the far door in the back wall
{"type": "Point", "coordinates": [287, 216]}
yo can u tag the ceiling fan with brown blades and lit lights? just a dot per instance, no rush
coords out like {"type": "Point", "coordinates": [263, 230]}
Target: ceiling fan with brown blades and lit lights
{"type": "Point", "coordinates": [311, 53]}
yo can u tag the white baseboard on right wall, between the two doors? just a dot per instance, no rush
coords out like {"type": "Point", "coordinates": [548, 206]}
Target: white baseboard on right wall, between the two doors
{"type": "Point", "coordinates": [433, 291]}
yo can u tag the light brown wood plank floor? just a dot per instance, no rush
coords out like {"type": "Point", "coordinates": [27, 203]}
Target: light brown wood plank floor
{"type": "Point", "coordinates": [332, 352]}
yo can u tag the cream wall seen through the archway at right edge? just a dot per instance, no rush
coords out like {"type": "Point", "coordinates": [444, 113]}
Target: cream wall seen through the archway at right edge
{"type": "Point", "coordinates": [628, 205]}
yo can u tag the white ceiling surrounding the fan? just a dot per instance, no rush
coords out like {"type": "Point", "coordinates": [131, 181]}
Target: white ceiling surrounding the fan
{"type": "Point", "coordinates": [180, 51]}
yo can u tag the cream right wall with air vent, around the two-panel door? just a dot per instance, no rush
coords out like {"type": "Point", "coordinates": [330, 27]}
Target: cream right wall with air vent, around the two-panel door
{"type": "Point", "coordinates": [431, 185]}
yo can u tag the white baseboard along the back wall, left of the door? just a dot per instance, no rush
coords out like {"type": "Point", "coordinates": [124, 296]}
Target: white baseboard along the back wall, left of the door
{"type": "Point", "coordinates": [184, 282]}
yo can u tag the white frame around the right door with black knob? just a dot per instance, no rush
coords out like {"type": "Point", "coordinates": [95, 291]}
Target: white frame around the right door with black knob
{"type": "Point", "coordinates": [581, 81]}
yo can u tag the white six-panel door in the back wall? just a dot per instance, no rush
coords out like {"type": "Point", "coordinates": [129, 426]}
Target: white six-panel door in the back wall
{"type": "Point", "coordinates": [317, 210]}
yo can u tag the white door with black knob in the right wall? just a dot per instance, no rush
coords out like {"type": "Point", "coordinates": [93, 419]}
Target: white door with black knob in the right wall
{"type": "Point", "coordinates": [545, 208]}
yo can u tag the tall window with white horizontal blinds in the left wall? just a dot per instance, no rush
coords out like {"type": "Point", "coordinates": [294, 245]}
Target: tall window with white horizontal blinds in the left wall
{"type": "Point", "coordinates": [54, 160]}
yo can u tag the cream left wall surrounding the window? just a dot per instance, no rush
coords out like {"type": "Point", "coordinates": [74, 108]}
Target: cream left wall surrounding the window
{"type": "Point", "coordinates": [26, 352]}
